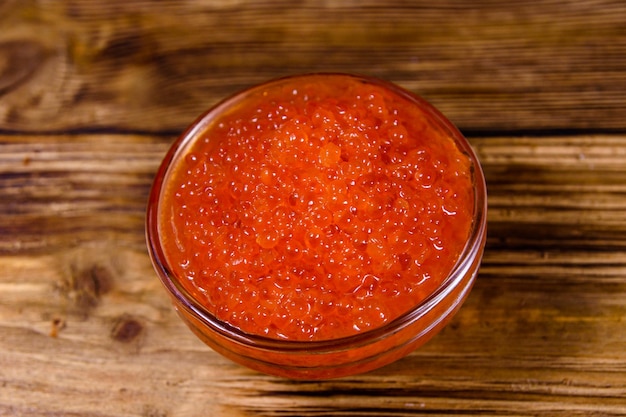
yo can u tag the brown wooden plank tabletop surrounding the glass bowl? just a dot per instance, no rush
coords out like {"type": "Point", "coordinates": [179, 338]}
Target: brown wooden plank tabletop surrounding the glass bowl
{"type": "Point", "coordinates": [93, 92]}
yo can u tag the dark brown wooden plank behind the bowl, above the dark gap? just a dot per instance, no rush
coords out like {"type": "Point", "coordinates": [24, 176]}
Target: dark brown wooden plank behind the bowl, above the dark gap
{"type": "Point", "coordinates": [154, 66]}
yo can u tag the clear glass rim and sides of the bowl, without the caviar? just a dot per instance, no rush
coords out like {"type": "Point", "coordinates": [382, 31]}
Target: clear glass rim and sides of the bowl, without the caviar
{"type": "Point", "coordinates": [330, 357]}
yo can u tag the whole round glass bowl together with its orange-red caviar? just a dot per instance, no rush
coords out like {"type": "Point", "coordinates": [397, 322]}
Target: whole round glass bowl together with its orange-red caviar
{"type": "Point", "coordinates": [319, 225]}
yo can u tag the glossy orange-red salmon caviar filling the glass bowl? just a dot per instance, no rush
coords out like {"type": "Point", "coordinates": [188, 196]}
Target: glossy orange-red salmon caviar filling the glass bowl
{"type": "Point", "coordinates": [316, 209]}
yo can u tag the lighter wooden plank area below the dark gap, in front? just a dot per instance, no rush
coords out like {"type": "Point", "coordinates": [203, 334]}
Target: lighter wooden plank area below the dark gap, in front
{"type": "Point", "coordinates": [87, 329]}
